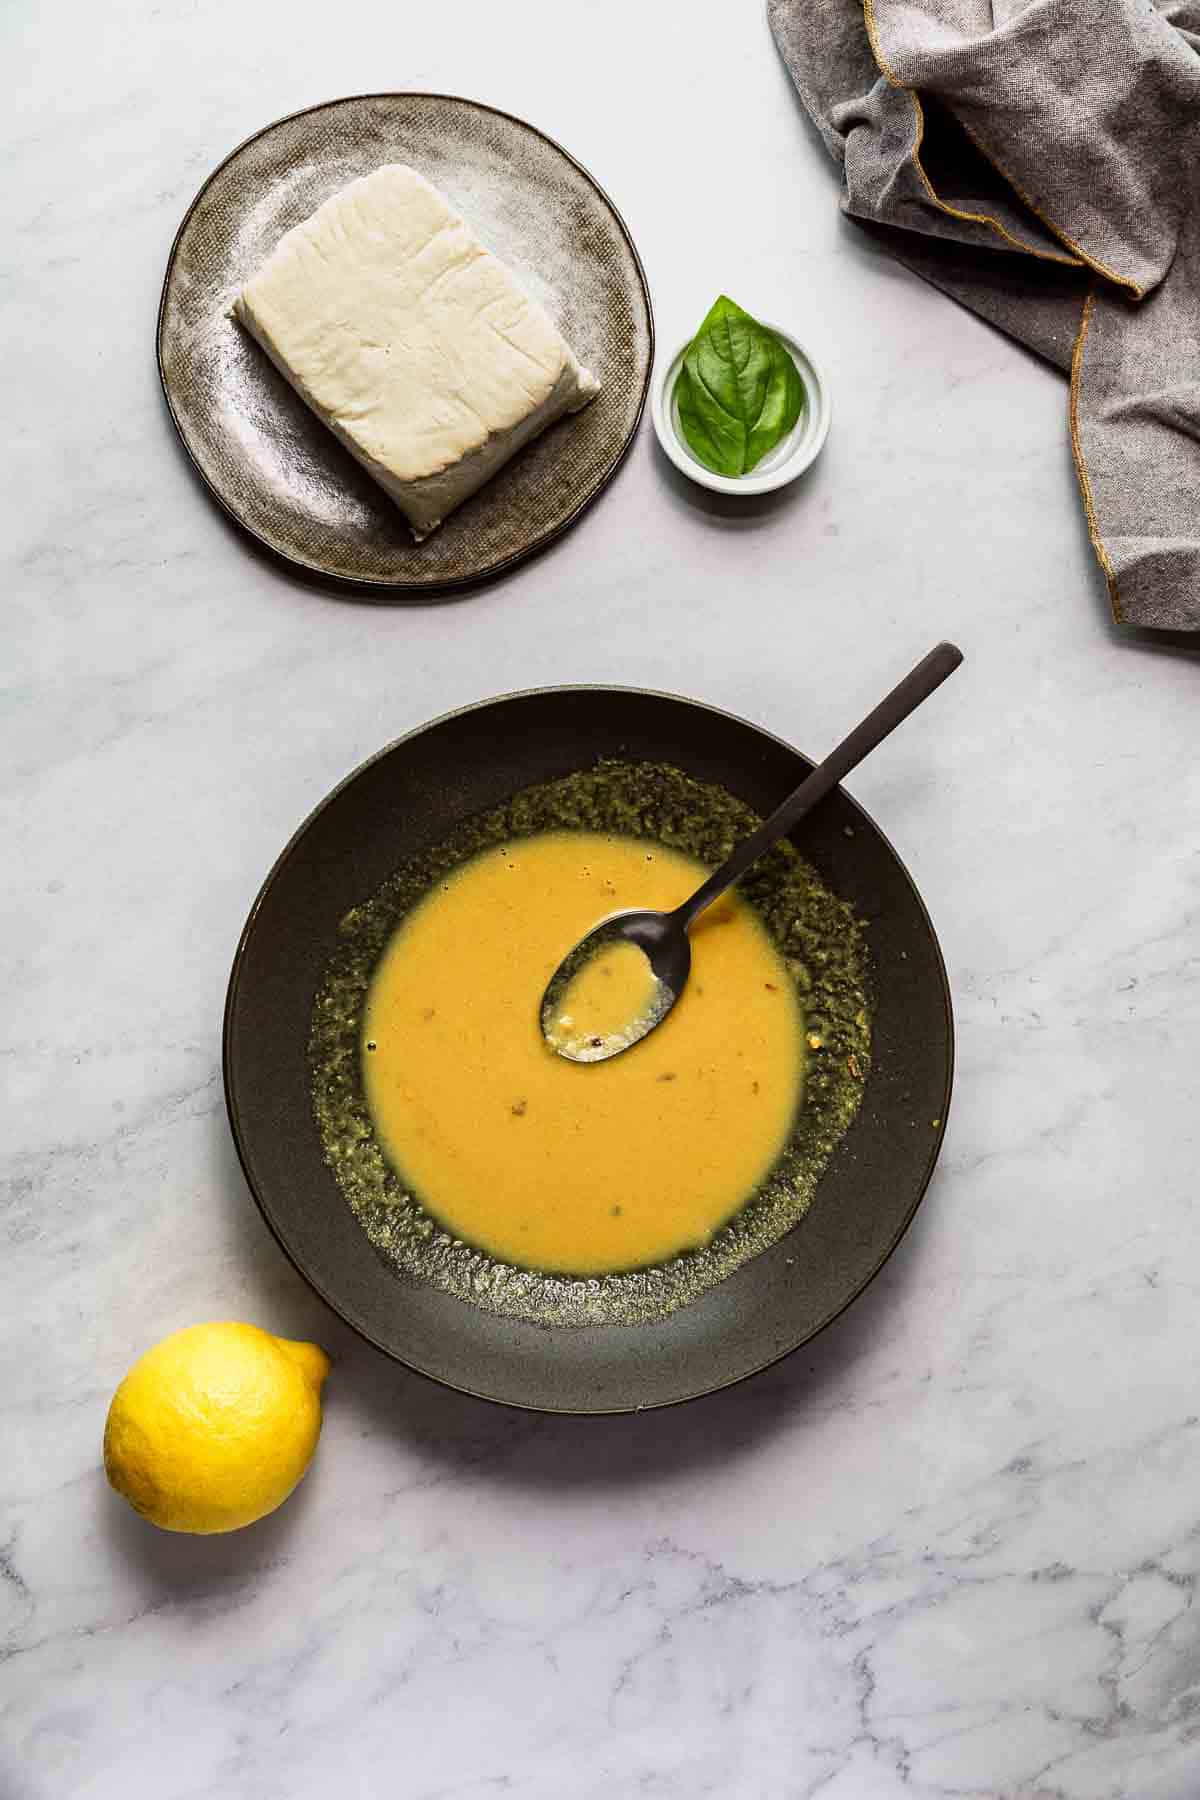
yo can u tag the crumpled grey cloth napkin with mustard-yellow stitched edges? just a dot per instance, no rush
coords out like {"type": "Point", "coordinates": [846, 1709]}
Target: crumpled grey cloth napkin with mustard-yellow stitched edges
{"type": "Point", "coordinates": [1043, 165]}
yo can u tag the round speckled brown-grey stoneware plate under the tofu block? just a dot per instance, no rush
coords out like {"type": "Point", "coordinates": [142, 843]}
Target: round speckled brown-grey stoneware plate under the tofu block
{"type": "Point", "coordinates": [269, 460]}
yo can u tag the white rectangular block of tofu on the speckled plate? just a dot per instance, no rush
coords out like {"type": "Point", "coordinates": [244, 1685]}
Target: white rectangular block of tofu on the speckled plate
{"type": "Point", "coordinates": [411, 341]}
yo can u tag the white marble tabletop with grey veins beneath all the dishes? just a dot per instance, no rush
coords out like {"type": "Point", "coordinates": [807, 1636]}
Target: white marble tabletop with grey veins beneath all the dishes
{"type": "Point", "coordinates": [949, 1551]}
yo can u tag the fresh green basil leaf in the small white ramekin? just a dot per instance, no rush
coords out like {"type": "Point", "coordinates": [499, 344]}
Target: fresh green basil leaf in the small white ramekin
{"type": "Point", "coordinates": [739, 393]}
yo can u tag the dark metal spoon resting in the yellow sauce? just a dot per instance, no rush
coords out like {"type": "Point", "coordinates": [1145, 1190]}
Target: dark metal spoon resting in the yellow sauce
{"type": "Point", "coordinates": [665, 939]}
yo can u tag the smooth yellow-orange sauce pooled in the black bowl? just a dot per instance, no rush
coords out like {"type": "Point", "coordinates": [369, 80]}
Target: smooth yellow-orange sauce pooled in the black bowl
{"type": "Point", "coordinates": [580, 1169]}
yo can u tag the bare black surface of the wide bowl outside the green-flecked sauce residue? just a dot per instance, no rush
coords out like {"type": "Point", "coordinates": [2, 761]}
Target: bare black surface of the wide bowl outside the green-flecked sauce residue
{"type": "Point", "coordinates": [407, 800]}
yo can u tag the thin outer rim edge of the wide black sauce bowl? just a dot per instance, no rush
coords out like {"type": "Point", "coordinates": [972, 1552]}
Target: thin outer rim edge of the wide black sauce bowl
{"type": "Point", "coordinates": [231, 1106]}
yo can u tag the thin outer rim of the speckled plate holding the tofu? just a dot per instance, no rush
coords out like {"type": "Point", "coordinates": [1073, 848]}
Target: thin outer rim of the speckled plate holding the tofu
{"type": "Point", "coordinates": [379, 588]}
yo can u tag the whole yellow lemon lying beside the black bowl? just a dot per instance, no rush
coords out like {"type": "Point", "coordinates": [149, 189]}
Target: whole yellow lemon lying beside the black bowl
{"type": "Point", "coordinates": [215, 1426]}
